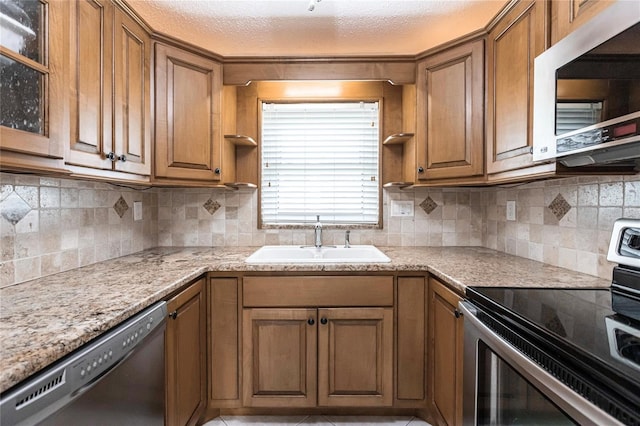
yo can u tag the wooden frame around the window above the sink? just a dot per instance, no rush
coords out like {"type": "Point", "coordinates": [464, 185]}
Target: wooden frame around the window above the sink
{"type": "Point", "coordinates": [344, 99]}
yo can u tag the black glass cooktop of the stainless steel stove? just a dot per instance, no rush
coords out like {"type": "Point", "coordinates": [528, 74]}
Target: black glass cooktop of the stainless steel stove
{"type": "Point", "coordinates": [576, 327]}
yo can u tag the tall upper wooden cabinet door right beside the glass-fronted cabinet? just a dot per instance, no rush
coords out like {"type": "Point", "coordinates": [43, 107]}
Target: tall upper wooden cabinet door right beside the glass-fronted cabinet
{"type": "Point", "coordinates": [90, 102]}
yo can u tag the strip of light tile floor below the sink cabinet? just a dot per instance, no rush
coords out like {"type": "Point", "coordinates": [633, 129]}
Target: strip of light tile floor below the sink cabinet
{"type": "Point", "coordinates": [325, 420]}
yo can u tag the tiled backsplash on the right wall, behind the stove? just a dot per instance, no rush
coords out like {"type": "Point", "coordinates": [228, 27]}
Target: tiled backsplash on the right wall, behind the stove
{"type": "Point", "coordinates": [563, 222]}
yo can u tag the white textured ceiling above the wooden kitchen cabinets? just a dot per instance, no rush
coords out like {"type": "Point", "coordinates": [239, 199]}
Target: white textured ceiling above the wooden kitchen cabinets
{"type": "Point", "coordinates": [334, 28]}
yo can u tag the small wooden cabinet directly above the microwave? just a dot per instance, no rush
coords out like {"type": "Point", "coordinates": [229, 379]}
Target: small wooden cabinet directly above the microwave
{"type": "Point", "coordinates": [570, 14]}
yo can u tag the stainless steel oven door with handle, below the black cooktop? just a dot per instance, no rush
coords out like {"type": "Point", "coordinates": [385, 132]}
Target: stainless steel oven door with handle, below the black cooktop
{"type": "Point", "coordinates": [502, 386]}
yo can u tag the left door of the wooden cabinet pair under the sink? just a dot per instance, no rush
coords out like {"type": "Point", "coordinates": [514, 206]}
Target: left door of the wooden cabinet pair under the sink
{"type": "Point", "coordinates": [279, 348]}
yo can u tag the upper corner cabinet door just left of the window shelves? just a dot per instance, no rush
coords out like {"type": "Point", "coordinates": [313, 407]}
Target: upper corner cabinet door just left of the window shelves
{"type": "Point", "coordinates": [188, 133]}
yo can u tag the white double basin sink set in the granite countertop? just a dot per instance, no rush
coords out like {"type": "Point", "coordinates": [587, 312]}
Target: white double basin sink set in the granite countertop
{"type": "Point", "coordinates": [324, 254]}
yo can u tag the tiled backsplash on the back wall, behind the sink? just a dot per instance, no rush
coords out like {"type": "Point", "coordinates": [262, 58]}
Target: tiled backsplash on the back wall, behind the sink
{"type": "Point", "coordinates": [215, 217]}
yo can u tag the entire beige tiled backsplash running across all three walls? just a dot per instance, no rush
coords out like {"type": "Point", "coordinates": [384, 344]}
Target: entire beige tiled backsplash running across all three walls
{"type": "Point", "coordinates": [49, 225]}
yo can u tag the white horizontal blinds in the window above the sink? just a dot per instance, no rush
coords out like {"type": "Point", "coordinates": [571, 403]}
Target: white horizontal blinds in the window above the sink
{"type": "Point", "coordinates": [320, 159]}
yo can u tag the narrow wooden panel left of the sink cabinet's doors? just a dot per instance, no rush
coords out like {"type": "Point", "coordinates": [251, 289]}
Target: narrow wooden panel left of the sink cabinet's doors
{"type": "Point", "coordinates": [224, 343]}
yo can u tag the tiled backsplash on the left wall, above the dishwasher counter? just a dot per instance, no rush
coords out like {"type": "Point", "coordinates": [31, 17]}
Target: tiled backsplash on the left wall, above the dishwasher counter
{"type": "Point", "coordinates": [48, 225]}
